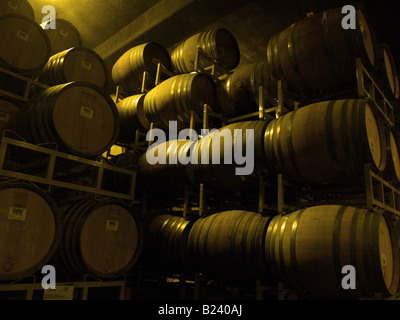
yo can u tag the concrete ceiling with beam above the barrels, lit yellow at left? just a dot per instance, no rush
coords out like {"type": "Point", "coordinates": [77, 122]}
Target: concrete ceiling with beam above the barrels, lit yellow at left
{"type": "Point", "coordinates": [110, 27]}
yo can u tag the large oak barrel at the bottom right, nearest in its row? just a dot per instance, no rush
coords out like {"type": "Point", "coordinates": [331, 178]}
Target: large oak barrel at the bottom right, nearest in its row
{"type": "Point", "coordinates": [307, 250]}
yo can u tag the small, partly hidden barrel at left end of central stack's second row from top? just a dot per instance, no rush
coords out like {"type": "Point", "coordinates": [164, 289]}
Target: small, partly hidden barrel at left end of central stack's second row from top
{"type": "Point", "coordinates": [132, 117]}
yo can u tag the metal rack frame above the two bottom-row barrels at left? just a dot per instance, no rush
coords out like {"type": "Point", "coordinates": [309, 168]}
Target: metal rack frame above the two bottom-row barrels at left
{"type": "Point", "coordinates": [51, 156]}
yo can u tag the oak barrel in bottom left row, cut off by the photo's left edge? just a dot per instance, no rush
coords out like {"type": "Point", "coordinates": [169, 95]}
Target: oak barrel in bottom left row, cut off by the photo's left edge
{"type": "Point", "coordinates": [30, 230]}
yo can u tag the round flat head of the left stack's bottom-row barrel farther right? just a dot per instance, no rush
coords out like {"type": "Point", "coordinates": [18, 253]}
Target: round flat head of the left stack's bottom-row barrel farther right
{"type": "Point", "coordinates": [110, 240]}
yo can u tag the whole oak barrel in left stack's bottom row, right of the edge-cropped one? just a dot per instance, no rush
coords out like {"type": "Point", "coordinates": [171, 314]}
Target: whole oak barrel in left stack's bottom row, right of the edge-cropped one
{"type": "Point", "coordinates": [101, 238]}
